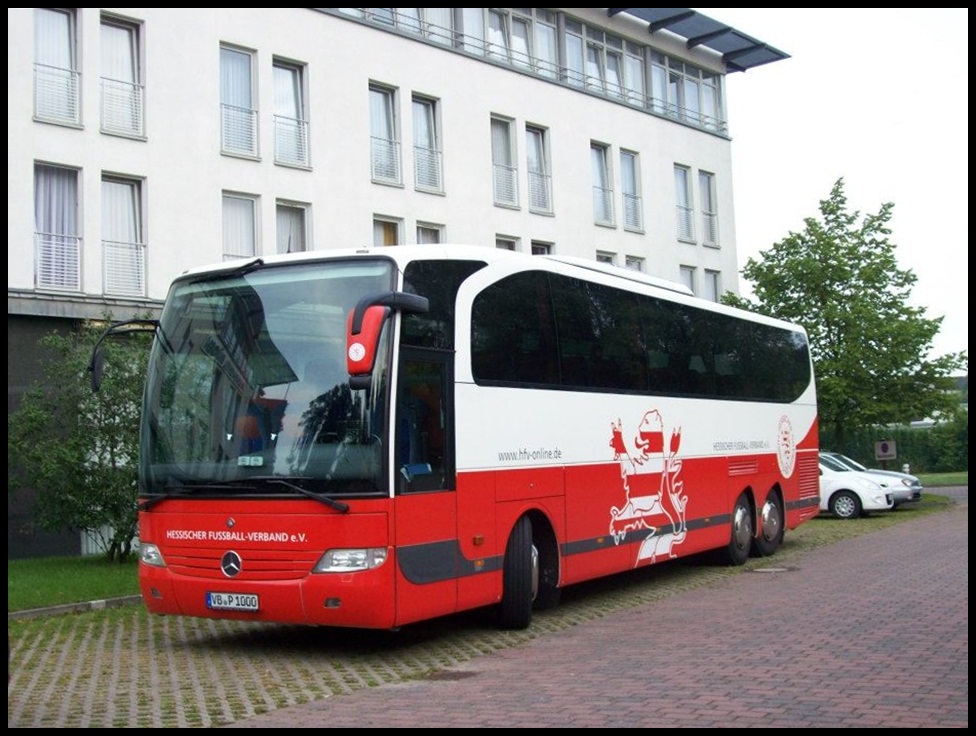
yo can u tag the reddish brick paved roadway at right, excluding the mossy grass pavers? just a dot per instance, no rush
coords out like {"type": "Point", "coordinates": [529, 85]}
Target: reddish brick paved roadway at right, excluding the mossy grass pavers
{"type": "Point", "coordinates": [870, 632]}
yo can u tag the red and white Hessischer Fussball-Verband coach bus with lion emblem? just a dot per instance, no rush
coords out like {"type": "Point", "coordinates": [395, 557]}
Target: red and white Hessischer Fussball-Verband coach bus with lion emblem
{"type": "Point", "coordinates": [375, 437]}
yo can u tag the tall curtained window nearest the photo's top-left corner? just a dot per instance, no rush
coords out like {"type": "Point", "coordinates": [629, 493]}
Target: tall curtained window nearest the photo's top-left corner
{"type": "Point", "coordinates": [57, 79]}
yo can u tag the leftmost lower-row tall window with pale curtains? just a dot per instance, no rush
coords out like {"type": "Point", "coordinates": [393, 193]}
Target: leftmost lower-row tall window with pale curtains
{"type": "Point", "coordinates": [57, 230]}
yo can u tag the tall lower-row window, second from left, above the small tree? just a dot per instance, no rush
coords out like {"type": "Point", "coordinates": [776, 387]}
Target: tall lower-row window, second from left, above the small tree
{"type": "Point", "coordinates": [123, 247]}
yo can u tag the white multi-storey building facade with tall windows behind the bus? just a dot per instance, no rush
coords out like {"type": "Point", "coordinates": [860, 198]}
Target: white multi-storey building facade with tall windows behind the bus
{"type": "Point", "coordinates": [144, 141]}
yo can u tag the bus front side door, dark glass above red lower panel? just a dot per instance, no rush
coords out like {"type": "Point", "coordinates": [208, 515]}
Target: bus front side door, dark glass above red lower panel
{"type": "Point", "coordinates": [425, 524]}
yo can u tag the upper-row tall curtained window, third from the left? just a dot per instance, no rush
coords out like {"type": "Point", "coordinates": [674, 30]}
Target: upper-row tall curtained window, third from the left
{"type": "Point", "coordinates": [238, 118]}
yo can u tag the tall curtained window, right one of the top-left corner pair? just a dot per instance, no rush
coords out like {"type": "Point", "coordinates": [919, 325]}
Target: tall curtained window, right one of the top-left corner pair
{"type": "Point", "coordinates": [121, 82]}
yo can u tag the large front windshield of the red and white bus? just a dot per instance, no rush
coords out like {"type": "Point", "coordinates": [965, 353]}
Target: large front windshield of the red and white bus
{"type": "Point", "coordinates": [247, 383]}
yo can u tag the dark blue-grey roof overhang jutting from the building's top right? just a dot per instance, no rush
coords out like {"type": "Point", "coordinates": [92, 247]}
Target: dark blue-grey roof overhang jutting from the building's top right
{"type": "Point", "coordinates": [739, 52]}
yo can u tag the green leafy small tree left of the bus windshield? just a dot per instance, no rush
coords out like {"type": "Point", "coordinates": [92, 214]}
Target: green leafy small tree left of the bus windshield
{"type": "Point", "coordinates": [79, 449]}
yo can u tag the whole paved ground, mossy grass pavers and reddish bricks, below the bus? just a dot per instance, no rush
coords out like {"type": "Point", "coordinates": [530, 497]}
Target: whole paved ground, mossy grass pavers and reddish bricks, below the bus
{"type": "Point", "coordinates": [871, 631]}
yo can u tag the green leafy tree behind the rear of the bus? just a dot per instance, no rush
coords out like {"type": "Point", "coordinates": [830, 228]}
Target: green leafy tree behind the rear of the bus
{"type": "Point", "coordinates": [840, 280]}
